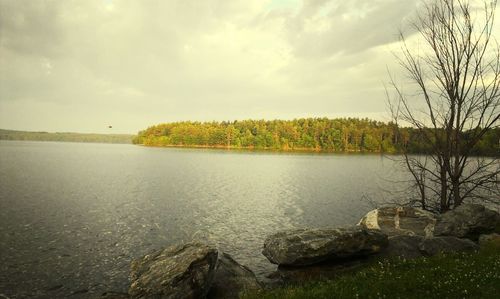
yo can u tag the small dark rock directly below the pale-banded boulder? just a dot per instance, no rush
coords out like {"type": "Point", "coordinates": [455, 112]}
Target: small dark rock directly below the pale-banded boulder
{"type": "Point", "coordinates": [403, 246]}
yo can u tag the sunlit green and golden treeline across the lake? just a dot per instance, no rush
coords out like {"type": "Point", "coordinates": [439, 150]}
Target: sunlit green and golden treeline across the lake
{"type": "Point", "coordinates": [306, 134]}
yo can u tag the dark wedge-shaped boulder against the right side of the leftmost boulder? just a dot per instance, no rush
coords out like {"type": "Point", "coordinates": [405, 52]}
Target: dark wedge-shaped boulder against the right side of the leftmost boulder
{"type": "Point", "coordinates": [232, 279]}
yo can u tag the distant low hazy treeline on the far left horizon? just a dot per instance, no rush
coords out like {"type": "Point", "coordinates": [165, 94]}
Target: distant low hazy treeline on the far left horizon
{"type": "Point", "coordinates": [71, 137]}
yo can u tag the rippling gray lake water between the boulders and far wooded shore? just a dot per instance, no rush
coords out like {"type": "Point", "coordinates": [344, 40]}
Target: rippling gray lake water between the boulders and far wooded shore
{"type": "Point", "coordinates": [73, 215]}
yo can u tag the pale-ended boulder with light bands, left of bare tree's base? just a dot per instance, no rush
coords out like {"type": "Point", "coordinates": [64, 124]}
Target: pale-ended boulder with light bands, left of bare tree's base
{"type": "Point", "coordinates": [395, 221]}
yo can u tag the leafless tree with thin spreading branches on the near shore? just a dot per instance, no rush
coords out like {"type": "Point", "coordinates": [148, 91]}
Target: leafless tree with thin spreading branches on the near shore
{"type": "Point", "coordinates": [453, 101]}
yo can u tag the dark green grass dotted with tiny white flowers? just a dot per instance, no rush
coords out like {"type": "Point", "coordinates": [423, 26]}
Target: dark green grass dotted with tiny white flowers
{"type": "Point", "coordinates": [452, 275]}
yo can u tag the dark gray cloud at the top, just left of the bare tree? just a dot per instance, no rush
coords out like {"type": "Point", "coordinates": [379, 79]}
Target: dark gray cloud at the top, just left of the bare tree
{"type": "Point", "coordinates": [347, 27]}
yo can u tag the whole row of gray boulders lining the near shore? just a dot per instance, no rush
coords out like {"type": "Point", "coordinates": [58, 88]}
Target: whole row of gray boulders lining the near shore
{"type": "Point", "coordinates": [198, 270]}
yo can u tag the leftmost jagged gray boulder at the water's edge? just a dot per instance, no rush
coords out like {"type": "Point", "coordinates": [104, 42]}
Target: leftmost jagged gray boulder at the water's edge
{"type": "Point", "coordinates": [182, 271]}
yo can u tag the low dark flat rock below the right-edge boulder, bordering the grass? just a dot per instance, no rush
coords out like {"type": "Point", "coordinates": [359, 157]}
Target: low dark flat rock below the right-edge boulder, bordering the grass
{"type": "Point", "coordinates": [433, 246]}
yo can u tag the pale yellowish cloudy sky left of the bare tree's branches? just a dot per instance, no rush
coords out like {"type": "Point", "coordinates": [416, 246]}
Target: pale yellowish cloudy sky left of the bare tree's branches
{"type": "Point", "coordinates": [83, 65]}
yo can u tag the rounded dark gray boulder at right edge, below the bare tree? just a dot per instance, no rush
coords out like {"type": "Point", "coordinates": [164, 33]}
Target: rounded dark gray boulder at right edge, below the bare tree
{"type": "Point", "coordinates": [467, 221]}
